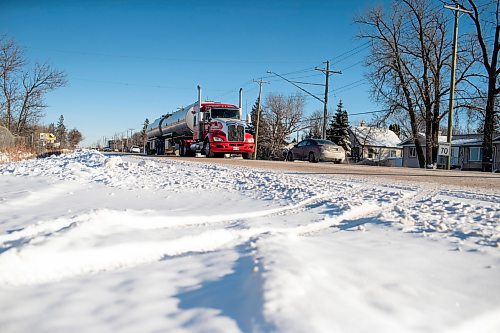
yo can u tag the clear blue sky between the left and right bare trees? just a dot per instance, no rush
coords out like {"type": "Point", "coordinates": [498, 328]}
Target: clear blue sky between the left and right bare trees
{"type": "Point", "coordinates": [130, 60]}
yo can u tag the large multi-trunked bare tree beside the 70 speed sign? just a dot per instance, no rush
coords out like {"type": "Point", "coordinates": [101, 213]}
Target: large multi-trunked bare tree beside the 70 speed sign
{"type": "Point", "coordinates": [409, 67]}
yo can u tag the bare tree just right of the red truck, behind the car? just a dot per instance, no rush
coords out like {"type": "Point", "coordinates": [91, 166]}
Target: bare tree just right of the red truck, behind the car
{"type": "Point", "coordinates": [281, 117]}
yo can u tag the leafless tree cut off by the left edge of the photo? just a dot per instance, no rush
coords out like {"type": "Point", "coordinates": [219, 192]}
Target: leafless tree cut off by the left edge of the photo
{"type": "Point", "coordinates": [23, 91]}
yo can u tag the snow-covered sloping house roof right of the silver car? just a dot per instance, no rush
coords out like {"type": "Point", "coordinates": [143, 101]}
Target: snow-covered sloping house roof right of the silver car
{"type": "Point", "coordinates": [373, 136]}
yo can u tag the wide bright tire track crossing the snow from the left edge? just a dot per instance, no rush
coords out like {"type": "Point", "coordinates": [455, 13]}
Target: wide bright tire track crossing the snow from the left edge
{"type": "Point", "coordinates": [35, 265]}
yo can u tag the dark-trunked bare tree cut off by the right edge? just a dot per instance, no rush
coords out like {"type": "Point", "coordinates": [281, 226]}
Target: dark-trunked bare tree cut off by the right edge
{"type": "Point", "coordinates": [486, 19]}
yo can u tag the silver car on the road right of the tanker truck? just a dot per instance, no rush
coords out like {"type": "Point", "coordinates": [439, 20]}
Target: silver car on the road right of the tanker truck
{"type": "Point", "coordinates": [315, 150]}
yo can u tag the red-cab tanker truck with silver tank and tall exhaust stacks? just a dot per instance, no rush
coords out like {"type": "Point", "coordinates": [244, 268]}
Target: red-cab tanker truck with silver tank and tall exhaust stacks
{"type": "Point", "coordinates": [210, 128]}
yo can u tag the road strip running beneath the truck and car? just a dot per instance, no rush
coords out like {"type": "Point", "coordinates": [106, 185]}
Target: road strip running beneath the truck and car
{"type": "Point", "coordinates": [476, 179]}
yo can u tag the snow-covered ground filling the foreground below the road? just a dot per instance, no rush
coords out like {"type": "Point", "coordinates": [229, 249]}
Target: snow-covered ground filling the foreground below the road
{"type": "Point", "coordinates": [90, 243]}
